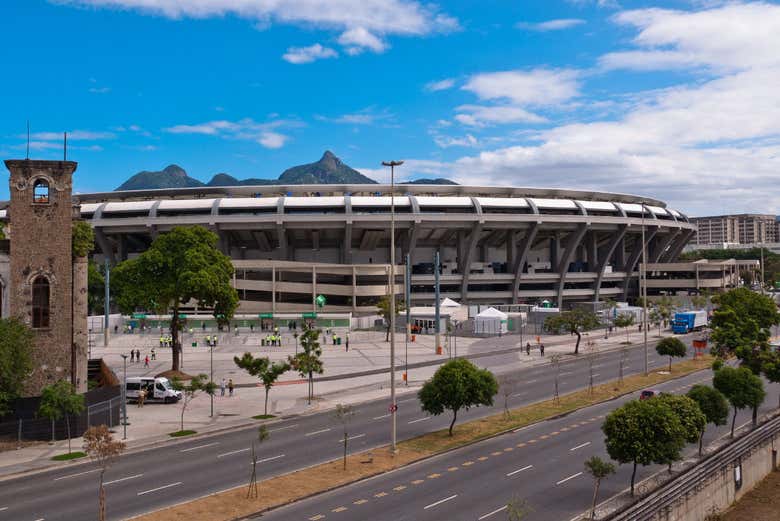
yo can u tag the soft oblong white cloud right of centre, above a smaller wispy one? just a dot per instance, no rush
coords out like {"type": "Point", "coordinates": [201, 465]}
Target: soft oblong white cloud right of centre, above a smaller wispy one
{"type": "Point", "coordinates": [533, 87]}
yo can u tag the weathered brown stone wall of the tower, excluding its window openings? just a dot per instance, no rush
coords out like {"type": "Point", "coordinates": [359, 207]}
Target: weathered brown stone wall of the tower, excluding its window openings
{"type": "Point", "coordinates": [41, 245]}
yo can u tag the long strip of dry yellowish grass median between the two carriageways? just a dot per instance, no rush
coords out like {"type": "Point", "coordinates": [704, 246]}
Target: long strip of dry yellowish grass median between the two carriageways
{"type": "Point", "coordinates": [280, 490]}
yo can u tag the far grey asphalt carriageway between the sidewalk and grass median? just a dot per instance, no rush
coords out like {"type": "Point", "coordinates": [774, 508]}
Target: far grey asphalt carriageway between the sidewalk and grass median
{"type": "Point", "coordinates": [145, 480]}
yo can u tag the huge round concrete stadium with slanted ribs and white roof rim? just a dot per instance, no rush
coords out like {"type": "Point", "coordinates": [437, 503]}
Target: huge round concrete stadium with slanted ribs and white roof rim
{"type": "Point", "coordinates": [497, 245]}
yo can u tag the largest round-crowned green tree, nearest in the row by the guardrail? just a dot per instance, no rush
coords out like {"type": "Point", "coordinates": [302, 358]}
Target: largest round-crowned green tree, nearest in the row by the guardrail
{"type": "Point", "coordinates": [643, 432]}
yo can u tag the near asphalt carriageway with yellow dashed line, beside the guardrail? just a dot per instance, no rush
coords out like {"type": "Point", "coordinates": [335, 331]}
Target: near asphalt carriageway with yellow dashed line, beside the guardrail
{"type": "Point", "coordinates": [541, 464]}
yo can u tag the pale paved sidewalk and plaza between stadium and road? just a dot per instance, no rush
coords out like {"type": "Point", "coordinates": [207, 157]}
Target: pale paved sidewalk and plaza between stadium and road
{"type": "Point", "coordinates": [150, 425]}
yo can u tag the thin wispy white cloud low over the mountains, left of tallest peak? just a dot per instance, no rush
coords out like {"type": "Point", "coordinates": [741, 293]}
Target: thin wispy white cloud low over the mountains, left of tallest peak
{"type": "Point", "coordinates": [245, 129]}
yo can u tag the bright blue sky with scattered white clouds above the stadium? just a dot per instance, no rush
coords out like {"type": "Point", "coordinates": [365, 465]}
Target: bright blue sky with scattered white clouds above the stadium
{"type": "Point", "coordinates": [672, 99]}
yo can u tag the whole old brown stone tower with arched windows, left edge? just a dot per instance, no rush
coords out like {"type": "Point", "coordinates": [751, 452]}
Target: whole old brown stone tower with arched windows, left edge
{"type": "Point", "coordinates": [41, 292]}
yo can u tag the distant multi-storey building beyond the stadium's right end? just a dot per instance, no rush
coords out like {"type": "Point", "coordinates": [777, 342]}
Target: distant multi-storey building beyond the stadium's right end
{"type": "Point", "coordinates": [735, 229]}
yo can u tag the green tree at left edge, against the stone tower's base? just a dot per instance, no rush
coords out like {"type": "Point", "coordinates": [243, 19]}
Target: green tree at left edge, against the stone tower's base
{"type": "Point", "coordinates": [16, 343]}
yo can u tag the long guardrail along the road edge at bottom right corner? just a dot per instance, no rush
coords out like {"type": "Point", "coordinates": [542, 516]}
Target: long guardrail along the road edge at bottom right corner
{"type": "Point", "coordinates": [666, 495]}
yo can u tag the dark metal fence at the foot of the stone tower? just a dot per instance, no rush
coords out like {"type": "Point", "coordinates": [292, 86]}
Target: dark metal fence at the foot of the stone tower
{"type": "Point", "coordinates": [107, 412]}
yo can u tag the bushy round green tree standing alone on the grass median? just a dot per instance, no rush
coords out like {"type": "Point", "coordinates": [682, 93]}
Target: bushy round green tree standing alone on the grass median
{"type": "Point", "coordinates": [457, 385]}
